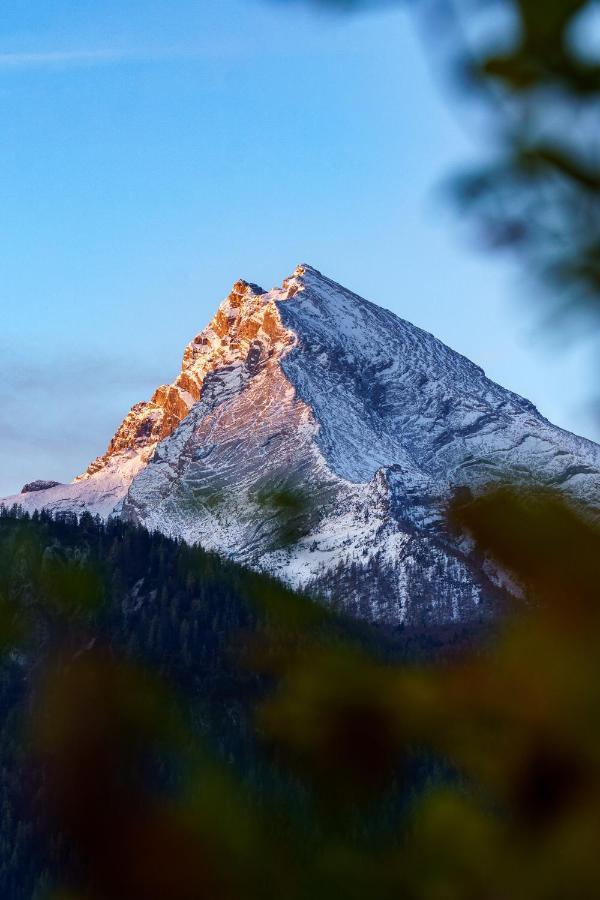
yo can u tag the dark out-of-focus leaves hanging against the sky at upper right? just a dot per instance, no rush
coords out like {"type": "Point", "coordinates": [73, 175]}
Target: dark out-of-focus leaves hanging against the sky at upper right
{"type": "Point", "coordinates": [534, 69]}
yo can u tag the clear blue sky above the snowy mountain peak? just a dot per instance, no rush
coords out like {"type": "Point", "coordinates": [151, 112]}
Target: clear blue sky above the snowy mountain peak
{"type": "Point", "coordinates": [153, 152]}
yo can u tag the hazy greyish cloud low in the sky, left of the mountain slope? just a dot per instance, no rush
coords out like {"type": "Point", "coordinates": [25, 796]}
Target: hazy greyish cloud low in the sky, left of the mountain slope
{"type": "Point", "coordinates": [59, 412]}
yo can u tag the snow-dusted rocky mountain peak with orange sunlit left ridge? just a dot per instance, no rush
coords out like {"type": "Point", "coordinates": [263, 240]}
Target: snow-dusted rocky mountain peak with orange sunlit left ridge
{"type": "Point", "coordinates": [317, 436]}
